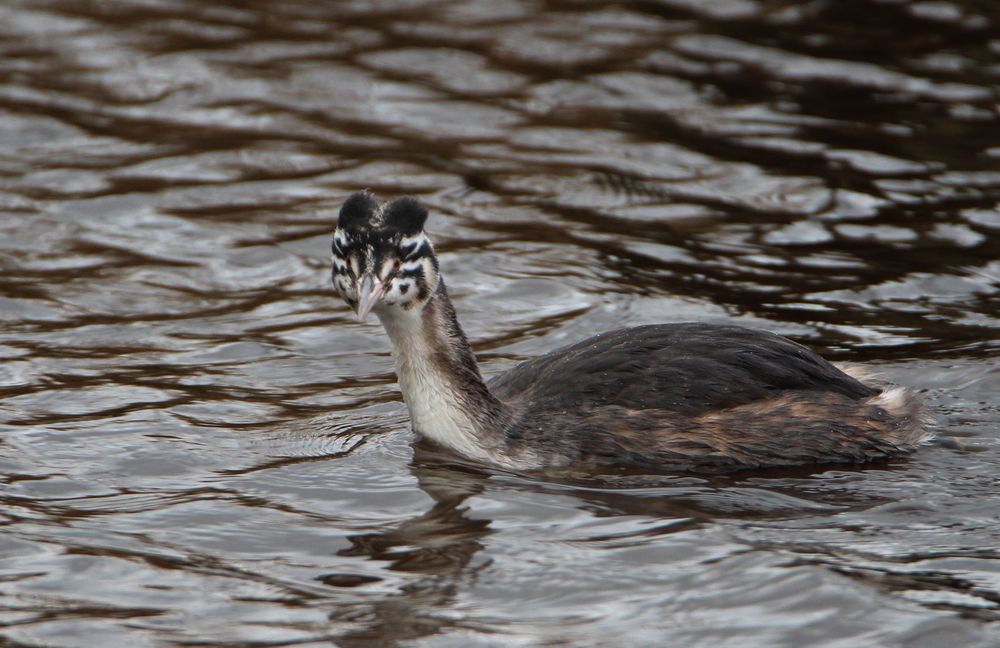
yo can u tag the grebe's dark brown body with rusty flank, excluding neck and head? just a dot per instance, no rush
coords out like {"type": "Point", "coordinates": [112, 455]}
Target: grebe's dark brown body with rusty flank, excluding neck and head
{"type": "Point", "coordinates": [711, 397]}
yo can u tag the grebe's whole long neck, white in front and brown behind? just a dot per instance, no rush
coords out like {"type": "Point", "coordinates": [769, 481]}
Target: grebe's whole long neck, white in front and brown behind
{"type": "Point", "coordinates": [448, 401]}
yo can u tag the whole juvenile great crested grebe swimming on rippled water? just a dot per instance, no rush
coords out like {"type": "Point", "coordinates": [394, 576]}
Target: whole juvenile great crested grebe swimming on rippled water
{"type": "Point", "coordinates": [668, 396]}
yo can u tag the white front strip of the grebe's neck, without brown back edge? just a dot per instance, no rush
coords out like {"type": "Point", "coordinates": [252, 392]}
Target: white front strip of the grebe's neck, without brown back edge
{"type": "Point", "coordinates": [430, 393]}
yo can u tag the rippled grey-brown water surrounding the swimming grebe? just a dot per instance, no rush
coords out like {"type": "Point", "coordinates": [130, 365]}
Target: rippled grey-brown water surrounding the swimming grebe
{"type": "Point", "coordinates": [200, 446]}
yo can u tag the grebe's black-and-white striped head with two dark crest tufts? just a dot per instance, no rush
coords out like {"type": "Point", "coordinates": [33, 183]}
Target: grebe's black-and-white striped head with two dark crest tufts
{"type": "Point", "coordinates": [381, 256]}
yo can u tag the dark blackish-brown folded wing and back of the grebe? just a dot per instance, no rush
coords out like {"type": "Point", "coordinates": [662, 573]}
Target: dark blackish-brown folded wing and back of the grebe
{"type": "Point", "coordinates": [683, 369]}
